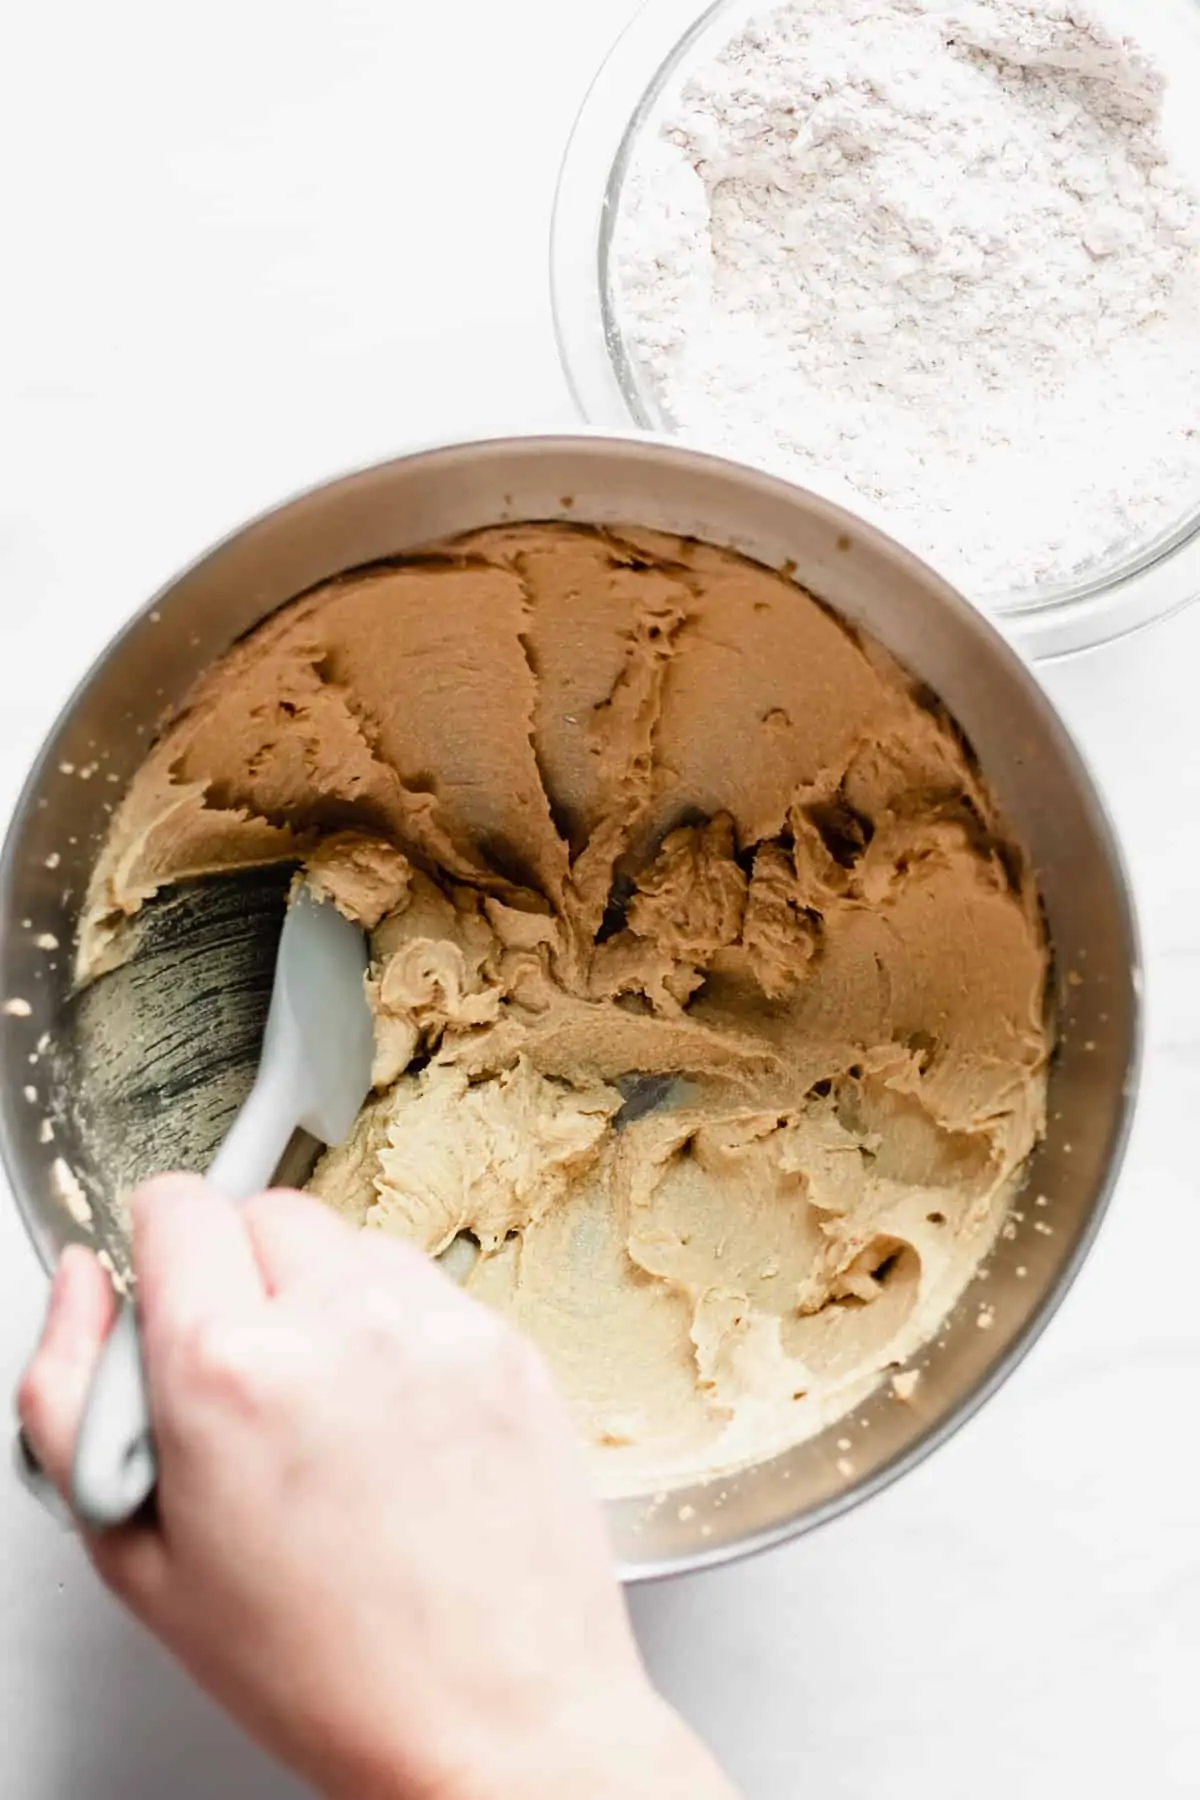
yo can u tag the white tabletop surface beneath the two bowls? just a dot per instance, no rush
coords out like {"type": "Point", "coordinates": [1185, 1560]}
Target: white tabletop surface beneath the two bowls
{"type": "Point", "coordinates": [247, 246]}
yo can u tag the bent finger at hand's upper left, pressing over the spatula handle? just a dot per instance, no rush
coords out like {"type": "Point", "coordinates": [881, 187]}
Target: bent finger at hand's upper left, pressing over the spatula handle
{"type": "Point", "coordinates": [193, 1257]}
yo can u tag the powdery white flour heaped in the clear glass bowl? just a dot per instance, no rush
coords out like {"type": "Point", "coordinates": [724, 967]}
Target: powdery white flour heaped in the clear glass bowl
{"type": "Point", "coordinates": [935, 260]}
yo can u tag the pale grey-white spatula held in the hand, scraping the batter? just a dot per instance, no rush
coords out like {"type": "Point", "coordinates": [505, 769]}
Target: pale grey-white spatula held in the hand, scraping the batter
{"type": "Point", "coordinates": [314, 1075]}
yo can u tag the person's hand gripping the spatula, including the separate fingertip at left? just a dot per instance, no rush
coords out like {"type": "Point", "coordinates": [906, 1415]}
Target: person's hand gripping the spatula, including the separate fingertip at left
{"type": "Point", "coordinates": [375, 1542]}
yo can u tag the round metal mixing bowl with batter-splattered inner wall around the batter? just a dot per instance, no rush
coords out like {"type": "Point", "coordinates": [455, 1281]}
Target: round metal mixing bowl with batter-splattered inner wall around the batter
{"type": "Point", "coordinates": [1023, 746]}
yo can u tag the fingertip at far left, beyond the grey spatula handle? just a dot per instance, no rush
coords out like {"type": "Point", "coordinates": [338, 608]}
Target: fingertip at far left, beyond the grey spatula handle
{"type": "Point", "coordinates": [57, 1383]}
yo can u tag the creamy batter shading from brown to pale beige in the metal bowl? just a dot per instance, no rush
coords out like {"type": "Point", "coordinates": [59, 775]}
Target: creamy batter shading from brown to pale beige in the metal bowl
{"type": "Point", "coordinates": [634, 820]}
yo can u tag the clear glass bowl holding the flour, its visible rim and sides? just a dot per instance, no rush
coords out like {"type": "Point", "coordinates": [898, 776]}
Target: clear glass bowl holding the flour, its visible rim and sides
{"type": "Point", "coordinates": [667, 40]}
